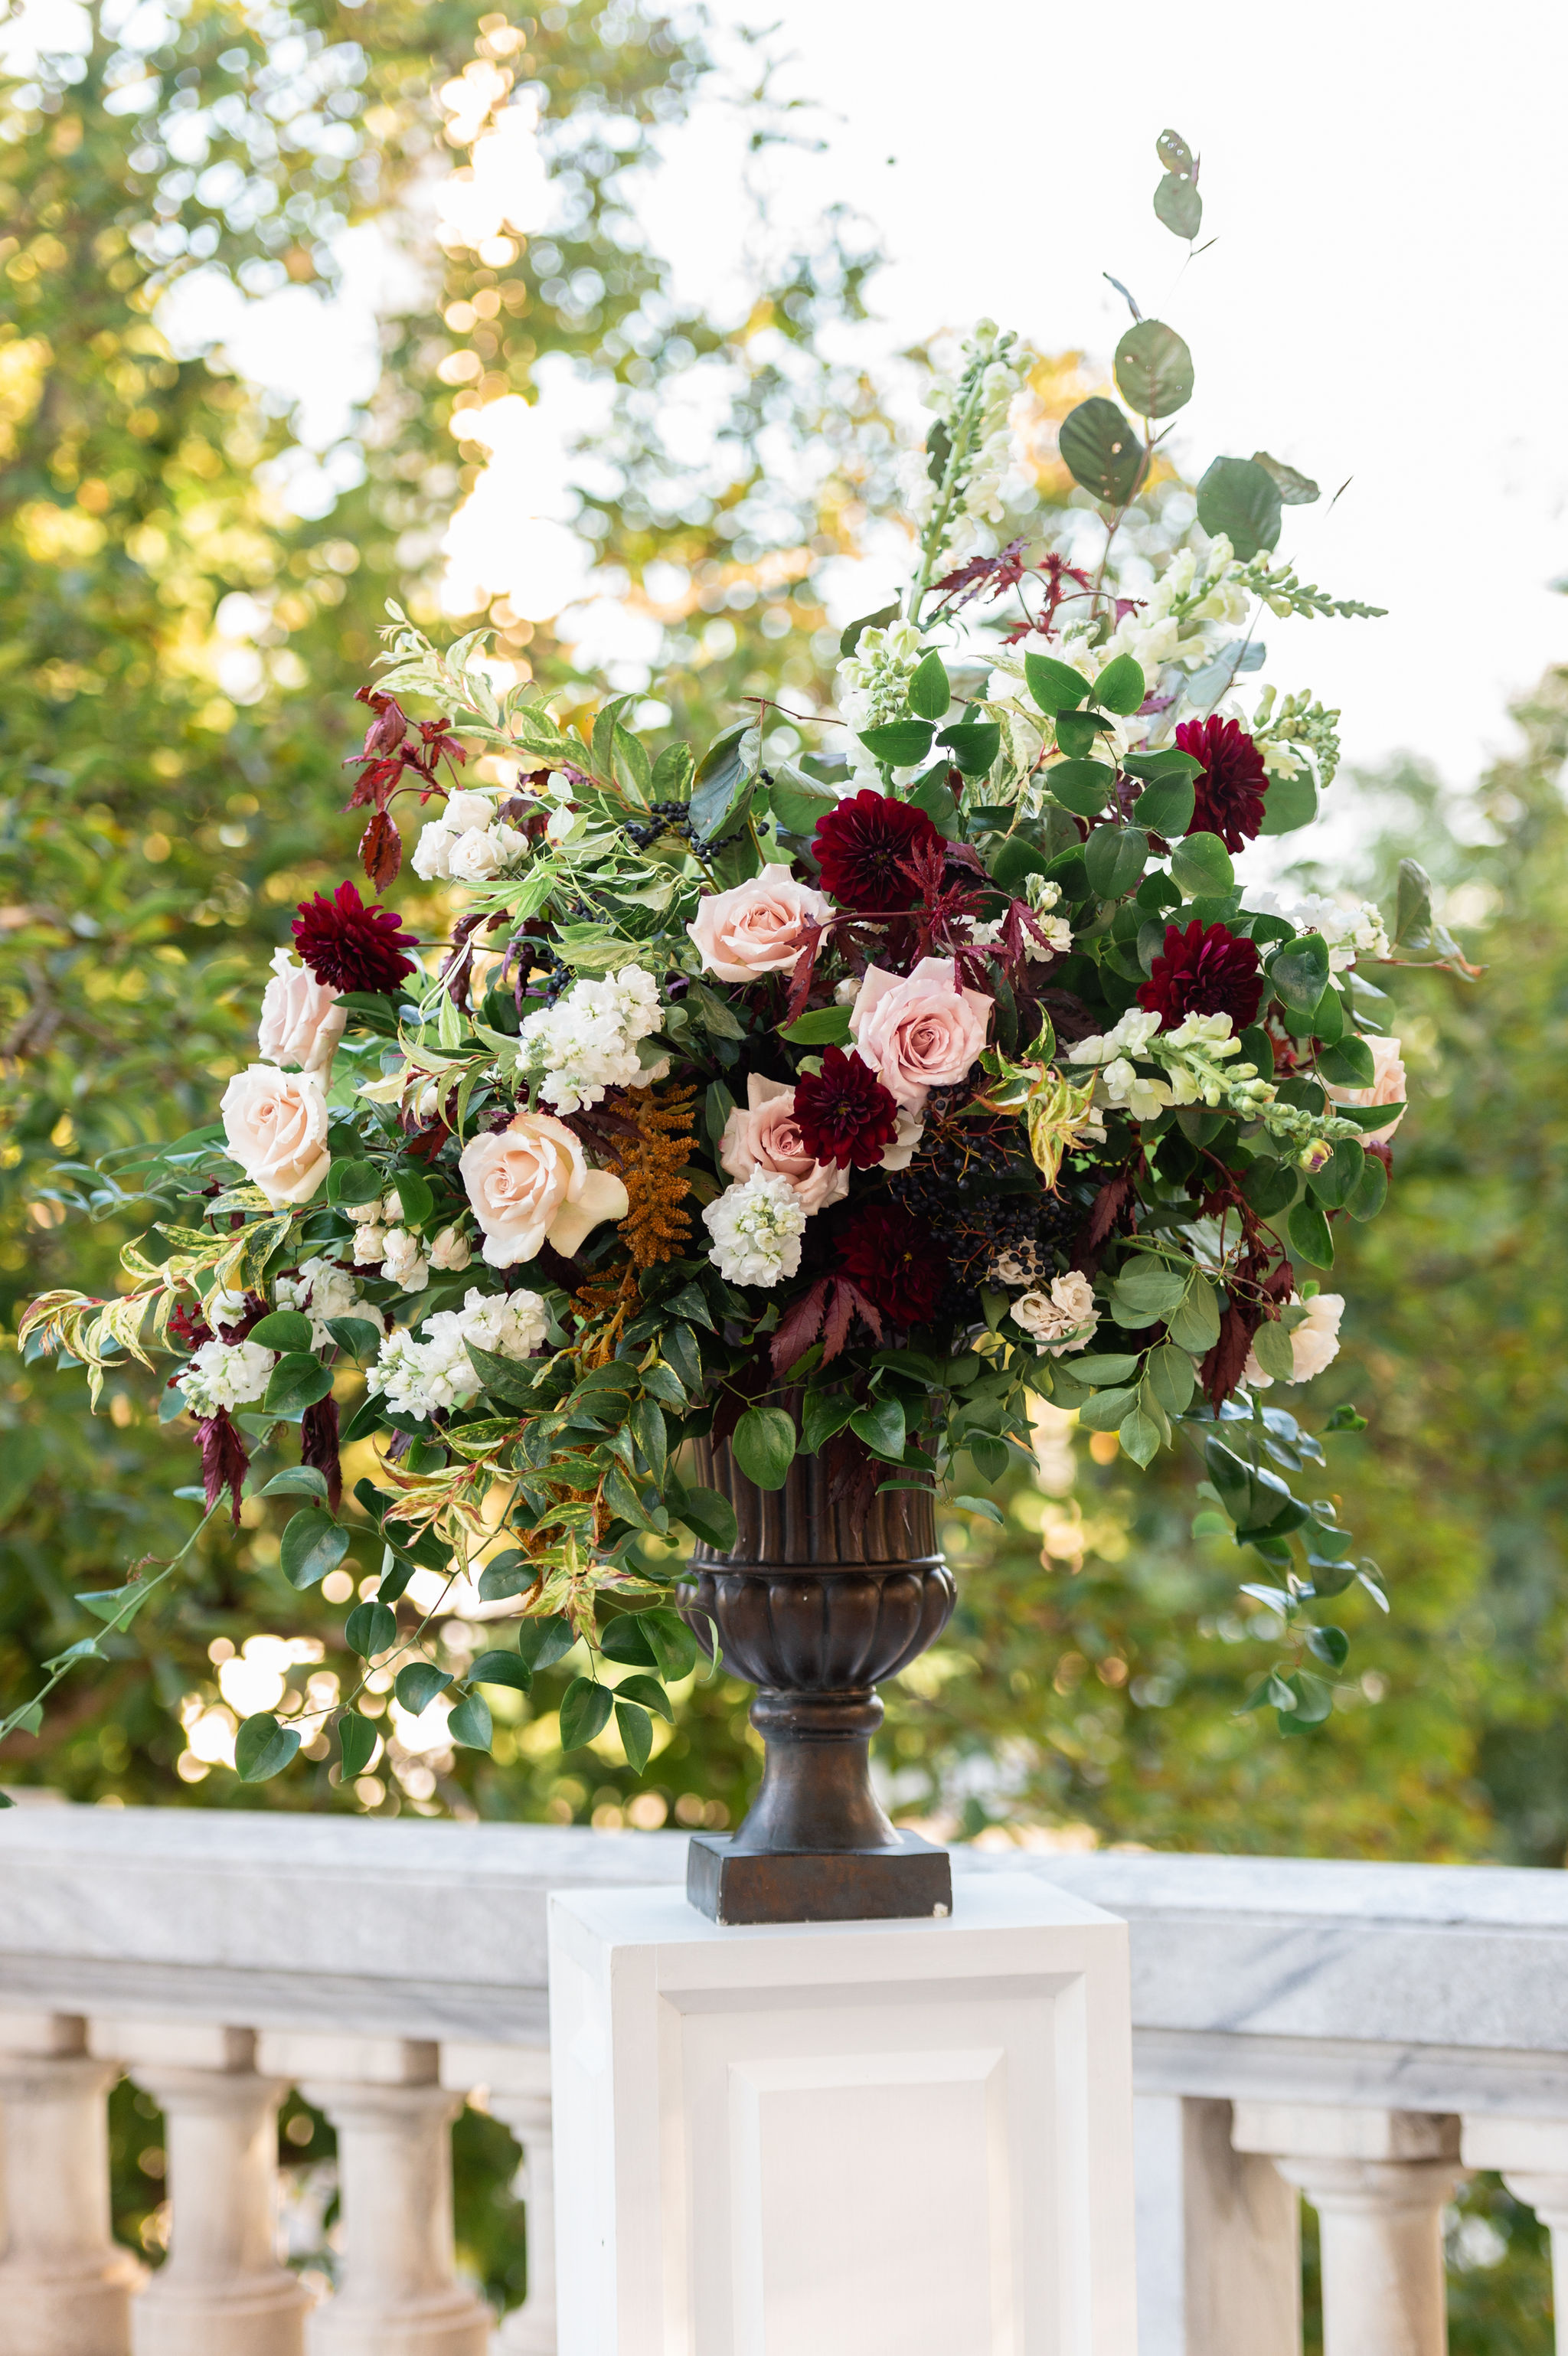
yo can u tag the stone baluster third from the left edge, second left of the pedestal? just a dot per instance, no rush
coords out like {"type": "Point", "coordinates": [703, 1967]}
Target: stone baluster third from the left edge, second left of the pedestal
{"type": "Point", "coordinates": [399, 2291]}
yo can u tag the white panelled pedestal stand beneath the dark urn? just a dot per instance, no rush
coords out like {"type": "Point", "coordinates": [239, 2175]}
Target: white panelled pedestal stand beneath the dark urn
{"type": "Point", "coordinates": [844, 2138]}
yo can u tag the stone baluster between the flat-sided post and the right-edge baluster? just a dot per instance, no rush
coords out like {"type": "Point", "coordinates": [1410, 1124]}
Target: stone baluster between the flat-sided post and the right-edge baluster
{"type": "Point", "coordinates": [1378, 2183]}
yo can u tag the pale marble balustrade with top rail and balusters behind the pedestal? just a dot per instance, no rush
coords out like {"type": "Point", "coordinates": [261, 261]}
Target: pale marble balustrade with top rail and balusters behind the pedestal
{"type": "Point", "coordinates": [1350, 2034]}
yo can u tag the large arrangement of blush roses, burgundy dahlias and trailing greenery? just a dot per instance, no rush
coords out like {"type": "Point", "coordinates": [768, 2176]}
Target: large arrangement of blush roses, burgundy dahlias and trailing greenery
{"type": "Point", "coordinates": [835, 1111]}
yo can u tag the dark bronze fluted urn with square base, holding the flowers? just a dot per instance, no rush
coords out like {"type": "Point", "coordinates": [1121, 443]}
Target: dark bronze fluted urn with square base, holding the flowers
{"type": "Point", "coordinates": [816, 1603]}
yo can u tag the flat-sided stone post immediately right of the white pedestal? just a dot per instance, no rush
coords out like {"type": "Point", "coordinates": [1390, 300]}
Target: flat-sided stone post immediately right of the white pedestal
{"type": "Point", "coordinates": [1218, 2237]}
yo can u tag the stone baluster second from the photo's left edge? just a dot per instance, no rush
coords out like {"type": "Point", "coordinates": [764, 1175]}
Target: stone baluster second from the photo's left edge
{"type": "Point", "coordinates": [220, 2291]}
